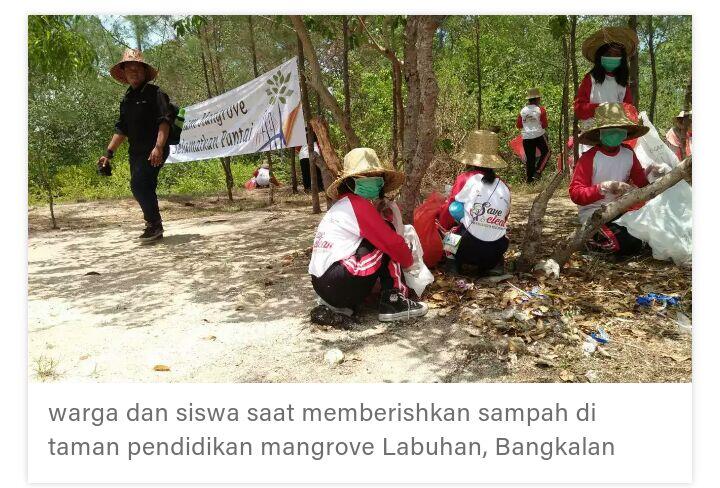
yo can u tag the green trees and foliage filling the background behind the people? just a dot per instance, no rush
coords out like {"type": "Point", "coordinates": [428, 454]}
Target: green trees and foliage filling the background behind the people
{"type": "Point", "coordinates": [482, 65]}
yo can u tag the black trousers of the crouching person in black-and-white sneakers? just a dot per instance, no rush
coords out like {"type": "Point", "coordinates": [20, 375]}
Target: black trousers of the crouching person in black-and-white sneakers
{"type": "Point", "coordinates": [340, 288]}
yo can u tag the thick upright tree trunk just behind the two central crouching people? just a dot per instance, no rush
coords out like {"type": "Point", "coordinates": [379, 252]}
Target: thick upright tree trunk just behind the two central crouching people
{"type": "Point", "coordinates": [420, 50]}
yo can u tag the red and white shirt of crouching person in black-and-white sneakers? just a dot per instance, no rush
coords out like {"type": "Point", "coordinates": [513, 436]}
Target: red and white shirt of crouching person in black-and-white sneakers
{"type": "Point", "coordinates": [350, 220]}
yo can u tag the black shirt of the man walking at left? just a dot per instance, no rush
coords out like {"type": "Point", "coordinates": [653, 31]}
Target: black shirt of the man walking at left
{"type": "Point", "coordinates": [142, 110]}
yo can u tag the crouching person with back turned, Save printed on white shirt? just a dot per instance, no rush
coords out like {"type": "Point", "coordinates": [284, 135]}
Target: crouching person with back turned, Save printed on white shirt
{"type": "Point", "coordinates": [478, 206]}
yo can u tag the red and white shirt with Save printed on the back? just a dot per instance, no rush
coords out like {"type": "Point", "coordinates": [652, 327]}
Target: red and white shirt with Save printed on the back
{"type": "Point", "coordinates": [487, 206]}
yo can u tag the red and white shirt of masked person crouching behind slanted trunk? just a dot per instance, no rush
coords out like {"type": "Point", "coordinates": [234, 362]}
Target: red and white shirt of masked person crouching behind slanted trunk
{"type": "Point", "coordinates": [598, 165]}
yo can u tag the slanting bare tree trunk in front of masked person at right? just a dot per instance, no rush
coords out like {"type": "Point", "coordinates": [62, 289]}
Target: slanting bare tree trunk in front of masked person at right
{"type": "Point", "coordinates": [606, 213]}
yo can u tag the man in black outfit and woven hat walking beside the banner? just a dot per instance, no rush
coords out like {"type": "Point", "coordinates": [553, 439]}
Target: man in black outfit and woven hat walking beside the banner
{"type": "Point", "coordinates": [145, 118]}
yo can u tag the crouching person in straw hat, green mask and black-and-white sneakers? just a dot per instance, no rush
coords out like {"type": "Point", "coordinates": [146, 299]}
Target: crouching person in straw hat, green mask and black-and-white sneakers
{"type": "Point", "coordinates": [355, 247]}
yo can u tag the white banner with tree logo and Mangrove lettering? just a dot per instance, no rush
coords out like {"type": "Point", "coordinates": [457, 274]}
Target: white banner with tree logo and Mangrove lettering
{"type": "Point", "coordinates": [261, 115]}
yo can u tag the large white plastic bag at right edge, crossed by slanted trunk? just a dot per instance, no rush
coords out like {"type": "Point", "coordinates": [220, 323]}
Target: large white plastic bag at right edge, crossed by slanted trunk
{"type": "Point", "coordinates": [665, 222]}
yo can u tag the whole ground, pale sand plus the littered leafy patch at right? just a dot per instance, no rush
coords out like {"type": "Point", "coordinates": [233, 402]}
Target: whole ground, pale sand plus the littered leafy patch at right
{"type": "Point", "coordinates": [226, 298]}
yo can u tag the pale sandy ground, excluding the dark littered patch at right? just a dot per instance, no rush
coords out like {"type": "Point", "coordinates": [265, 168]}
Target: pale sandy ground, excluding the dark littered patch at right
{"type": "Point", "coordinates": [225, 297]}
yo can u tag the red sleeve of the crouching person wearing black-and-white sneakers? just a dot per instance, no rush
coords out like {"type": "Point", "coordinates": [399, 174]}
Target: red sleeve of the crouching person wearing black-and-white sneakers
{"type": "Point", "coordinates": [379, 232]}
